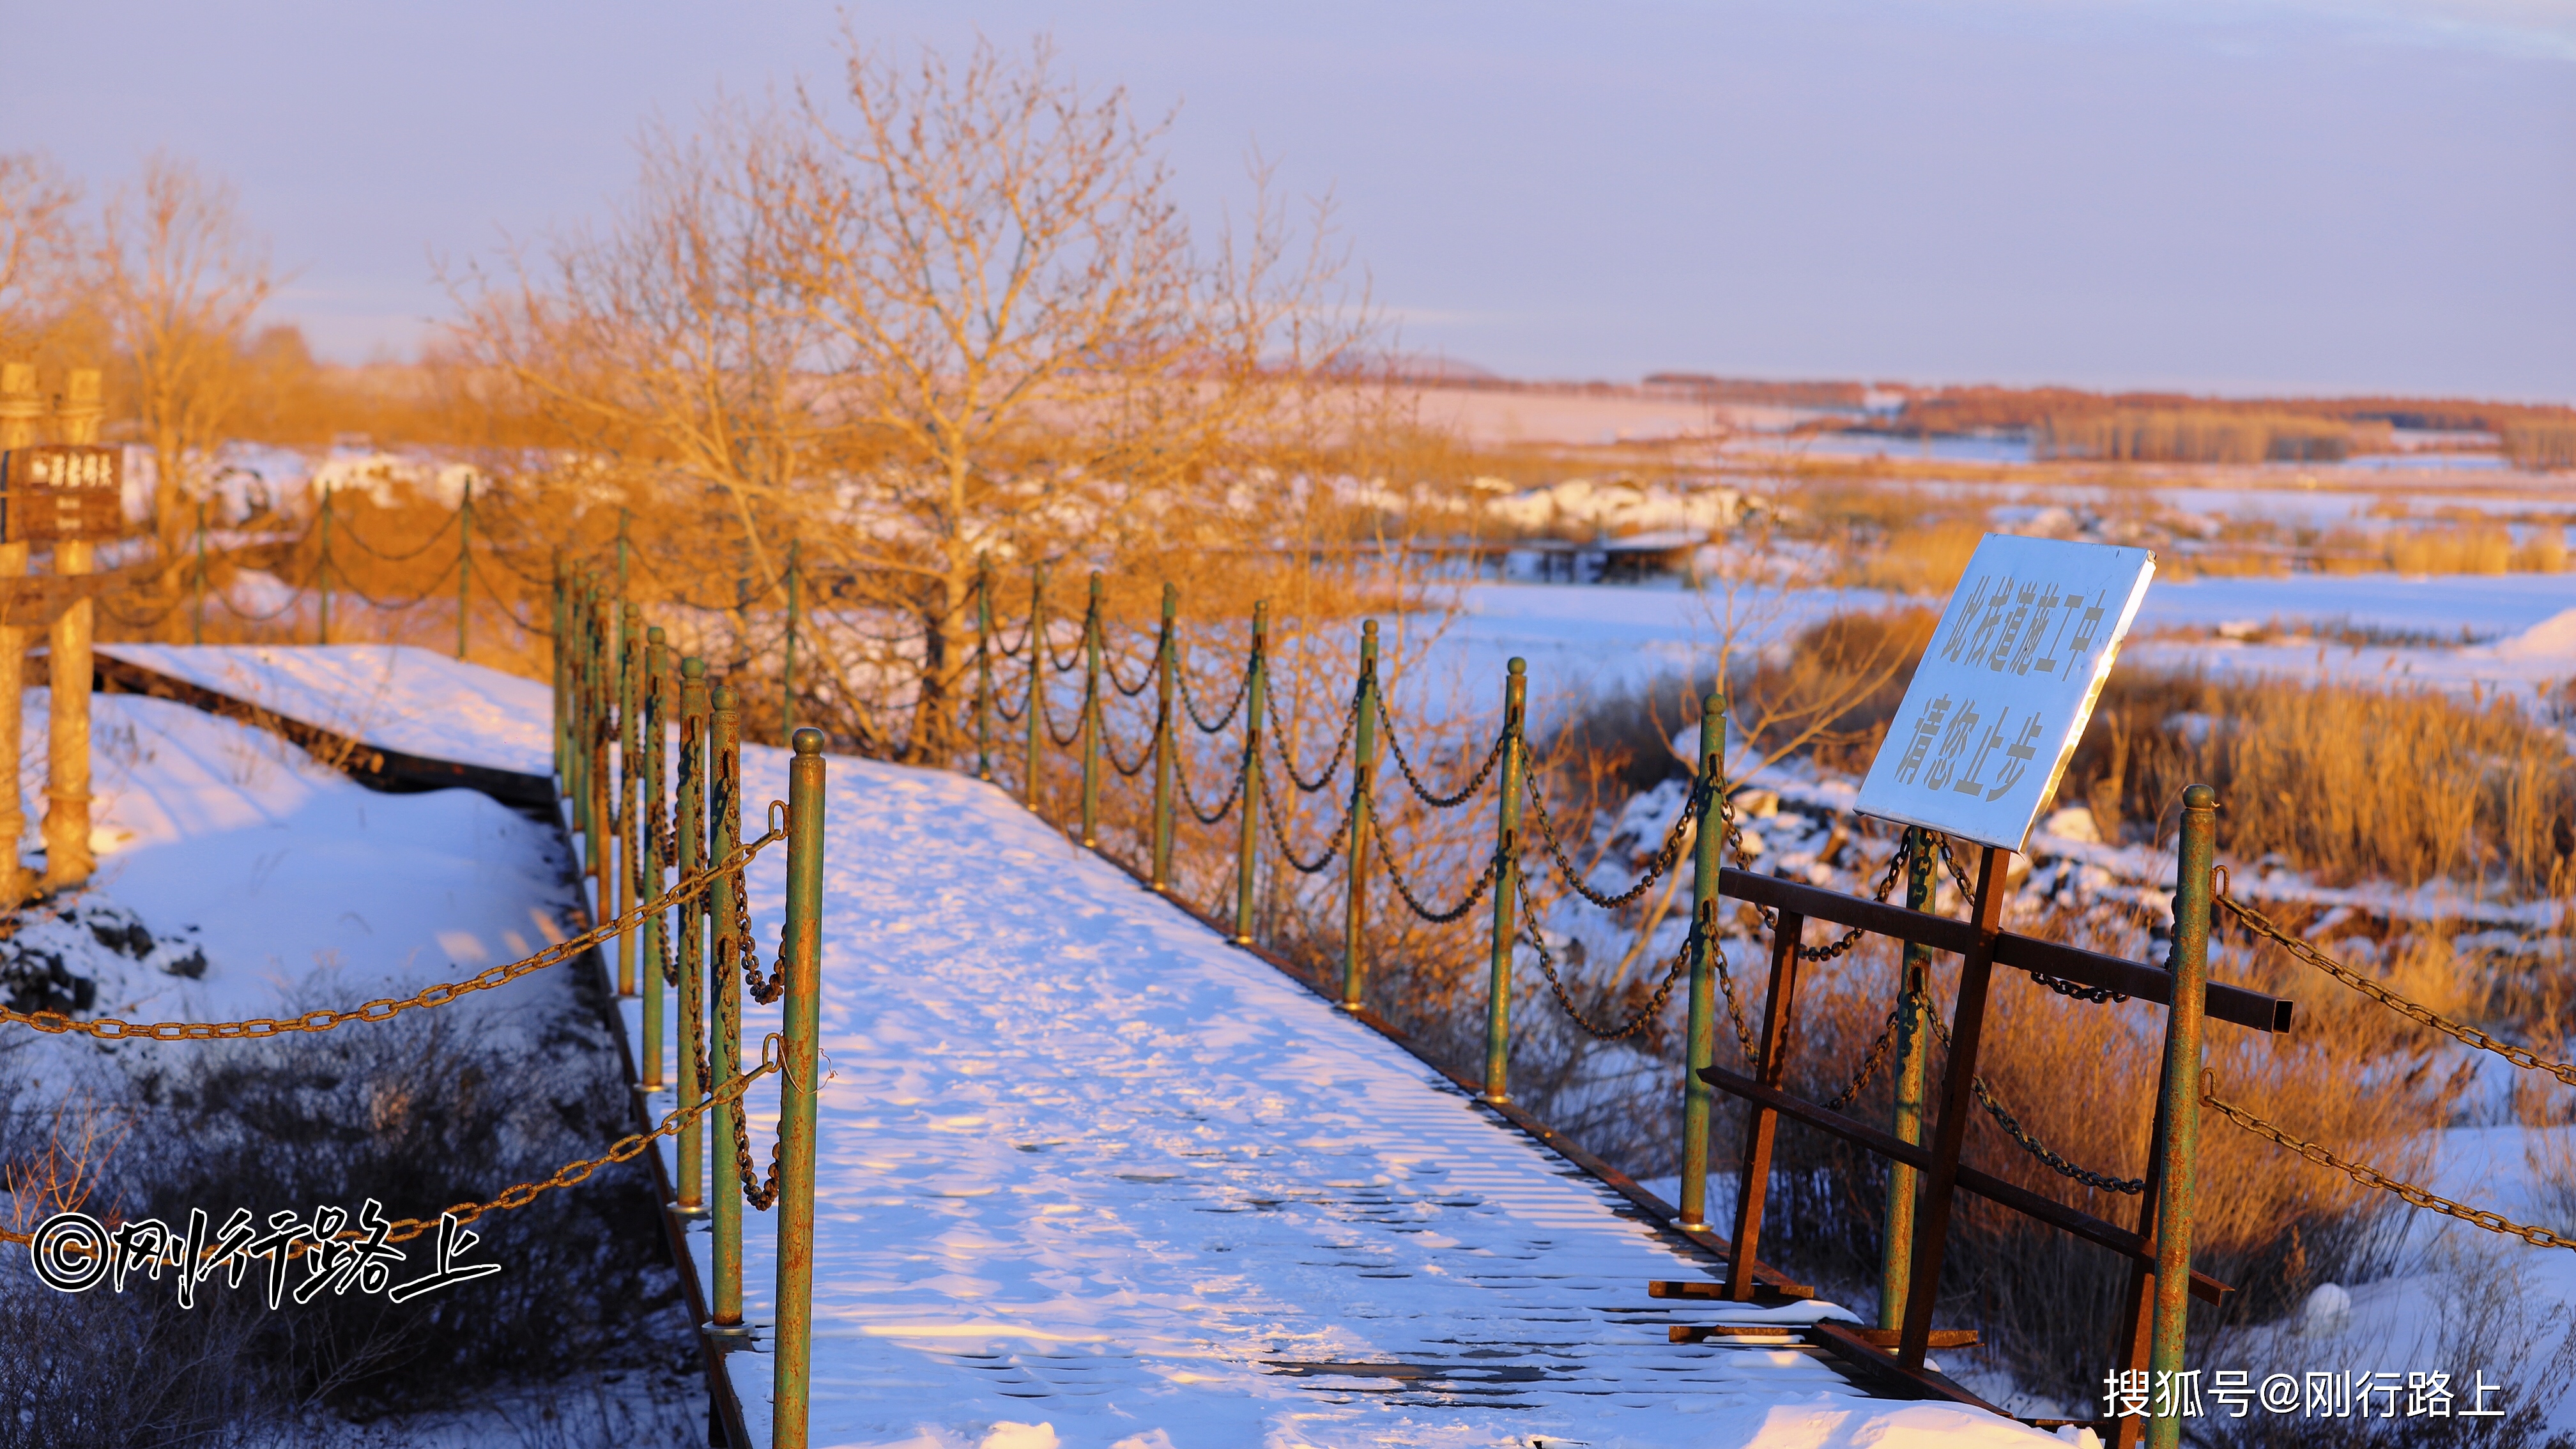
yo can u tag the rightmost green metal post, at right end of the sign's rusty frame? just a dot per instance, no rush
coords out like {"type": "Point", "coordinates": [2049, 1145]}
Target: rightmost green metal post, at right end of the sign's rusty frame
{"type": "Point", "coordinates": [2183, 1022]}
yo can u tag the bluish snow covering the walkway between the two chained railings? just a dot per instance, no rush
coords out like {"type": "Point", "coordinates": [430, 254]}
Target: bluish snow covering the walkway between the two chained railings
{"type": "Point", "coordinates": [1096, 1180]}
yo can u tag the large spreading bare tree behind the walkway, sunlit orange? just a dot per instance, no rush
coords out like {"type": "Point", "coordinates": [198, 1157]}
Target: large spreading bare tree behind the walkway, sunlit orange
{"type": "Point", "coordinates": [923, 318]}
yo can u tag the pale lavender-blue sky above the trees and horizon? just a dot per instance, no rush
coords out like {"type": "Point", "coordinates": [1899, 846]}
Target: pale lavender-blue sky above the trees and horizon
{"type": "Point", "coordinates": [2263, 195]}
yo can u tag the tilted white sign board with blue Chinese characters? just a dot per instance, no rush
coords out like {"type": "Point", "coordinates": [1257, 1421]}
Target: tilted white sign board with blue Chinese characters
{"type": "Point", "coordinates": [2005, 687]}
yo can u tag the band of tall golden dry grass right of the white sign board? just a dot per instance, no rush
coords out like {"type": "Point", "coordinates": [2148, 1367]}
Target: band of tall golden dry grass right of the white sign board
{"type": "Point", "coordinates": [2343, 783]}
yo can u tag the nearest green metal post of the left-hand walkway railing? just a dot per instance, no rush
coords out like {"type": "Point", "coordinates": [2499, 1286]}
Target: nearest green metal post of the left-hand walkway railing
{"type": "Point", "coordinates": [792, 1347]}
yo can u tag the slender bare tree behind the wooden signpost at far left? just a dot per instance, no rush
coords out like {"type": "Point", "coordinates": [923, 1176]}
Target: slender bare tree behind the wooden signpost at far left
{"type": "Point", "coordinates": [182, 277]}
